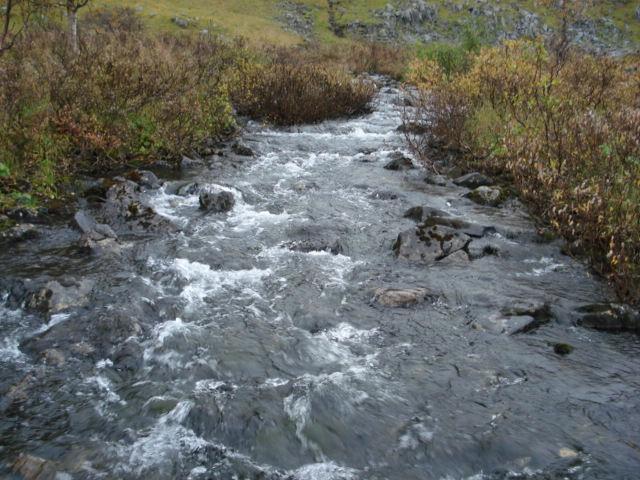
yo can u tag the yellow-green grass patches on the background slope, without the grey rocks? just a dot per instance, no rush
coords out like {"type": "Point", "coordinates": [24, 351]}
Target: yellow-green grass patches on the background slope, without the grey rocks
{"type": "Point", "coordinates": [258, 20]}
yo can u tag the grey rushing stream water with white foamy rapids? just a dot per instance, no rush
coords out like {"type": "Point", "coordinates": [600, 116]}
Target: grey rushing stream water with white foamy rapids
{"type": "Point", "coordinates": [240, 358]}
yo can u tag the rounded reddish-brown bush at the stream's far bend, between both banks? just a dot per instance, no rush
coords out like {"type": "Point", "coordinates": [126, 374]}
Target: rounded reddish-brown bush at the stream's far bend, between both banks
{"type": "Point", "coordinates": [290, 89]}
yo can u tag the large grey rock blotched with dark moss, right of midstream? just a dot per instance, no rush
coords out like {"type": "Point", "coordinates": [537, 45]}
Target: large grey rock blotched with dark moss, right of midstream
{"type": "Point", "coordinates": [429, 243]}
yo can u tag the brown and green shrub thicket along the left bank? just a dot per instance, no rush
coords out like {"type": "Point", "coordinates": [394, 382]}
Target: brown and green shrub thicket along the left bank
{"type": "Point", "coordinates": [126, 98]}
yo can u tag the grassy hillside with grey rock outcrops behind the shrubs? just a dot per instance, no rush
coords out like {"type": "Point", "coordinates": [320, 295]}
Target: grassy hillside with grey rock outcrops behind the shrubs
{"type": "Point", "coordinates": [607, 25]}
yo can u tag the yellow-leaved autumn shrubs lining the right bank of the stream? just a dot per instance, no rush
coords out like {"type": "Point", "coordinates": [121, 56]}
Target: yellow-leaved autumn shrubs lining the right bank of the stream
{"type": "Point", "coordinates": [566, 130]}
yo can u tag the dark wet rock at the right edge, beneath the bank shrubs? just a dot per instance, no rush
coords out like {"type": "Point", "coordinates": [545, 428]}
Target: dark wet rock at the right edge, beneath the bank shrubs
{"type": "Point", "coordinates": [610, 317]}
